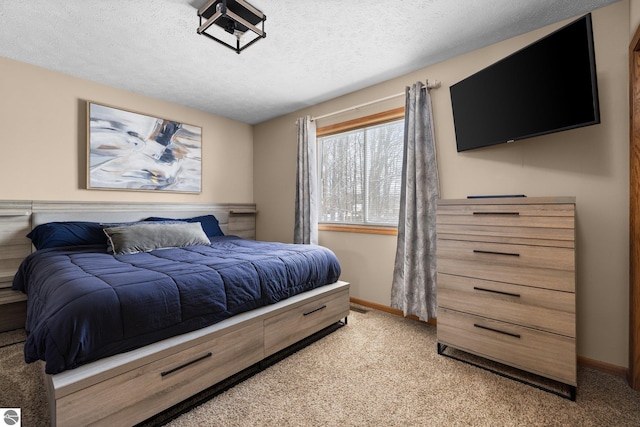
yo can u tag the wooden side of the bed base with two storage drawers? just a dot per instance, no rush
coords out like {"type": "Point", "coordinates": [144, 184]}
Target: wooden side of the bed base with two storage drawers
{"type": "Point", "coordinates": [127, 388]}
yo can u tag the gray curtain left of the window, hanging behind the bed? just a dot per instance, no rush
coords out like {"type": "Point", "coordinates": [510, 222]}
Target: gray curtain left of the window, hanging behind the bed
{"type": "Point", "coordinates": [306, 224]}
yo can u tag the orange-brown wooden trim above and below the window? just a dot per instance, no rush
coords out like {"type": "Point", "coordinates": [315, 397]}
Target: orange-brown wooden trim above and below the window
{"type": "Point", "coordinates": [370, 120]}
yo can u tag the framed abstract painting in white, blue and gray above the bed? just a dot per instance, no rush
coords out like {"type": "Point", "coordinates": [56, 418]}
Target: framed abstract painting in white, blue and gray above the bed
{"type": "Point", "coordinates": [127, 150]}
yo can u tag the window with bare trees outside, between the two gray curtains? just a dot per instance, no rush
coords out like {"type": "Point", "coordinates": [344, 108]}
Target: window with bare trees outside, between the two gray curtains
{"type": "Point", "coordinates": [360, 170]}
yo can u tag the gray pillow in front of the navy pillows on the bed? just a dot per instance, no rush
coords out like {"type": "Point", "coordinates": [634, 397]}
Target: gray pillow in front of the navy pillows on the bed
{"type": "Point", "coordinates": [145, 237]}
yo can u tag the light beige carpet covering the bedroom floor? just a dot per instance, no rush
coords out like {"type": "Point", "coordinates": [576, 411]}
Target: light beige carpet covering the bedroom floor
{"type": "Point", "coordinates": [378, 370]}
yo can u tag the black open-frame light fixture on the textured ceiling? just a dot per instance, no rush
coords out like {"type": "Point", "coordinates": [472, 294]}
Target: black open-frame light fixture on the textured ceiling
{"type": "Point", "coordinates": [235, 21]}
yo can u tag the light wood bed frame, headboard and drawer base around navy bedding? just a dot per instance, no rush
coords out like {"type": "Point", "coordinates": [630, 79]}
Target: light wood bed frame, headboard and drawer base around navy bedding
{"type": "Point", "coordinates": [128, 388]}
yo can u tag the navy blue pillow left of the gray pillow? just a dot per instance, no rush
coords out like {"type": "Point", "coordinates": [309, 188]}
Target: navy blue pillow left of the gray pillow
{"type": "Point", "coordinates": [71, 233]}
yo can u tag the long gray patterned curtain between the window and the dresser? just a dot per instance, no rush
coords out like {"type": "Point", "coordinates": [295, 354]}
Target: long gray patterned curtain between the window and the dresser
{"type": "Point", "coordinates": [414, 275]}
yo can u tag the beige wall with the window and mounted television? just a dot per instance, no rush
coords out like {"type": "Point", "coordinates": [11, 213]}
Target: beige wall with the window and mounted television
{"type": "Point", "coordinates": [589, 163]}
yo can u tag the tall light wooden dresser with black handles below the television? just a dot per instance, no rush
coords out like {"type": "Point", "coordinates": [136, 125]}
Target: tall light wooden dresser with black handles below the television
{"type": "Point", "coordinates": [506, 282]}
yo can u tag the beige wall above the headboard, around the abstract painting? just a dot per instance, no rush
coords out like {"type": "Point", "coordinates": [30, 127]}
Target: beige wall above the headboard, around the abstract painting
{"type": "Point", "coordinates": [43, 140]}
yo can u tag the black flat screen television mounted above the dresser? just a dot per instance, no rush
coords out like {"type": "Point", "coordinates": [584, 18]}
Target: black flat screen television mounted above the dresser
{"type": "Point", "coordinates": [548, 86]}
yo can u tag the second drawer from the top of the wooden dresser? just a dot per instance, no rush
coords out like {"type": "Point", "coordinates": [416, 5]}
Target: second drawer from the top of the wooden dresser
{"type": "Point", "coordinates": [544, 267]}
